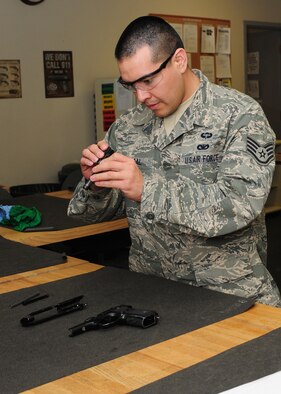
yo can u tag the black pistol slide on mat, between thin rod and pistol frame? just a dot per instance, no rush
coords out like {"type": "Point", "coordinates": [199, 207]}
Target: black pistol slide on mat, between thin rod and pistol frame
{"type": "Point", "coordinates": [53, 311]}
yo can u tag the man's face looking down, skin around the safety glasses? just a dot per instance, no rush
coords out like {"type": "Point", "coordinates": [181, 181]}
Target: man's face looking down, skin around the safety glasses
{"type": "Point", "coordinates": [169, 92]}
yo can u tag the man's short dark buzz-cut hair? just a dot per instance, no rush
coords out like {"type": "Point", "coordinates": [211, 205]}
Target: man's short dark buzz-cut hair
{"type": "Point", "coordinates": [153, 31]}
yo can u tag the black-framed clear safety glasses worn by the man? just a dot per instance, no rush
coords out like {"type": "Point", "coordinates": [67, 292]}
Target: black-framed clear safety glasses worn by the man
{"type": "Point", "coordinates": [148, 81]}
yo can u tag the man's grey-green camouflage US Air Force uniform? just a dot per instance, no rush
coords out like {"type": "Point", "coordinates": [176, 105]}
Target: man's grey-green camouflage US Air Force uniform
{"type": "Point", "coordinates": [200, 220]}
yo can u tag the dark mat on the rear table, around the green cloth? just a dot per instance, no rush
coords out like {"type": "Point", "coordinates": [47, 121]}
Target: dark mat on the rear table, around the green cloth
{"type": "Point", "coordinates": [53, 210]}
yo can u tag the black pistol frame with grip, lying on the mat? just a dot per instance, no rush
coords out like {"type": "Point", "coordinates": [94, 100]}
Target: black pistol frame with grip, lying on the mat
{"type": "Point", "coordinates": [121, 314]}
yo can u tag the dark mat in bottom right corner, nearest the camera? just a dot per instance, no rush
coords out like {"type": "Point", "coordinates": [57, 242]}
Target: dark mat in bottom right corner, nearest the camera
{"type": "Point", "coordinates": [243, 364]}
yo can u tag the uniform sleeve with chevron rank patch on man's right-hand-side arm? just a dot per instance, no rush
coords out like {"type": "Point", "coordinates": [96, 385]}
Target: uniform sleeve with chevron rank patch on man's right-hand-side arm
{"type": "Point", "coordinates": [234, 199]}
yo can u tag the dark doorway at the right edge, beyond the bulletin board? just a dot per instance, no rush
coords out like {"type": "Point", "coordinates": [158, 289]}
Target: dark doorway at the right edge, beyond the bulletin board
{"type": "Point", "coordinates": [263, 68]}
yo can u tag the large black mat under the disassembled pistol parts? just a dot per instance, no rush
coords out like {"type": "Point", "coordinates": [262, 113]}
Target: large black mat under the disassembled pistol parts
{"type": "Point", "coordinates": [39, 354]}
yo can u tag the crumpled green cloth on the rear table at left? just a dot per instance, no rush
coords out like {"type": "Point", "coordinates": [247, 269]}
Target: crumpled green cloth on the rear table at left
{"type": "Point", "coordinates": [22, 217]}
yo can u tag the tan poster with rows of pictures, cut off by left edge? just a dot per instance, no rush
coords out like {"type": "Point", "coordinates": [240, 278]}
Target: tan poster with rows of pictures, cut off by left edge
{"type": "Point", "coordinates": [10, 79]}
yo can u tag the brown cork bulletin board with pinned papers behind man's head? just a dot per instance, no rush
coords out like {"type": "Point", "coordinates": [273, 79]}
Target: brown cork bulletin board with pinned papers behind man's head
{"type": "Point", "coordinates": [207, 43]}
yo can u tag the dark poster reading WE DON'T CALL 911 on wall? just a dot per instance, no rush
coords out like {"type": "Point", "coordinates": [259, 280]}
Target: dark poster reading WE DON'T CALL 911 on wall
{"type": "Point", "coordinates": [58, 71]}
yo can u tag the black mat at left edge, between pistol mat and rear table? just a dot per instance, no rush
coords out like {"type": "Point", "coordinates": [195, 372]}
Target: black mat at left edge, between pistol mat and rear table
{"type": "Point", "coordinates": [16, 257]}
